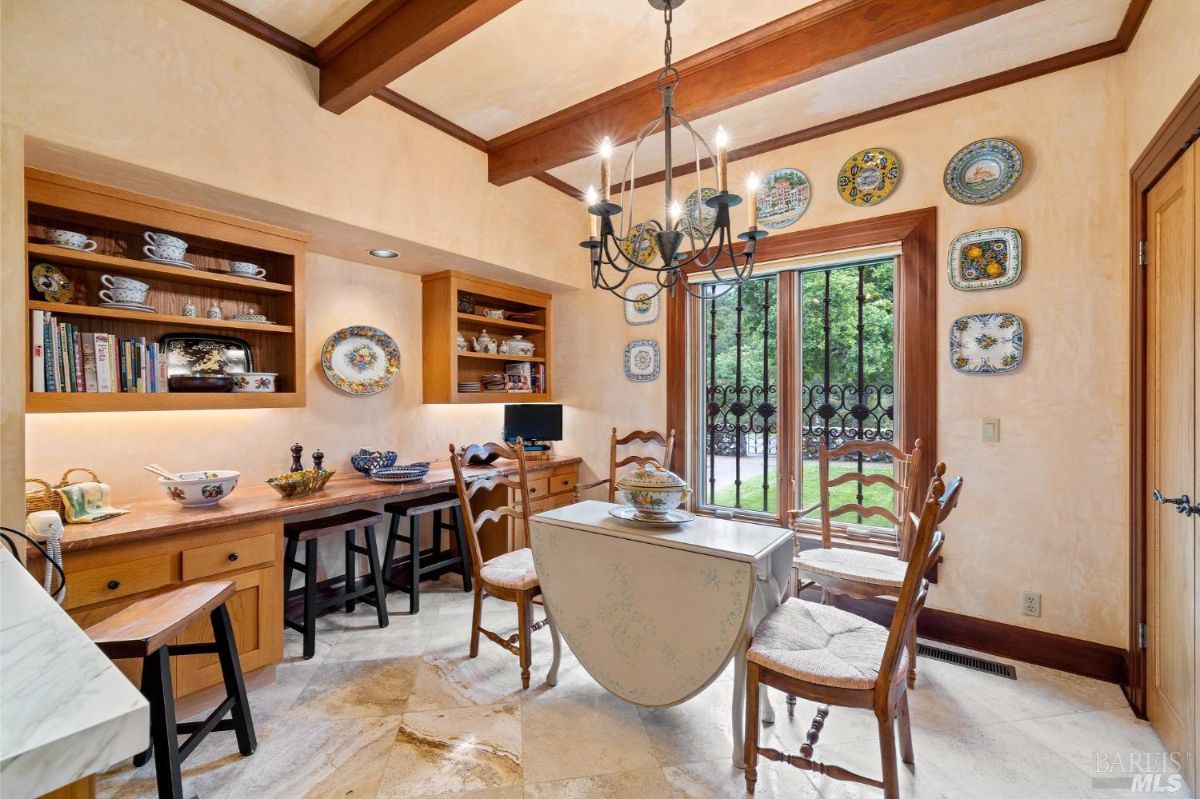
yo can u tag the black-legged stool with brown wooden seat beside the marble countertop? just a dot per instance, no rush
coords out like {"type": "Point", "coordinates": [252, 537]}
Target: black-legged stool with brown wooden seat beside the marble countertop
{"type": "Point", "coordinates": [143, 630]}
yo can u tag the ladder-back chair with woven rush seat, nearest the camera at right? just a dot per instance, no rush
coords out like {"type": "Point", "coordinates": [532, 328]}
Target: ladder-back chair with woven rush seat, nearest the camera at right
{"type": "Point", "coordinates": [836, 658]}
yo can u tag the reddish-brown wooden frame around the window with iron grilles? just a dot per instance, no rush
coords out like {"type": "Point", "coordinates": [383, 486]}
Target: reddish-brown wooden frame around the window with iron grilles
{"type": "Point", "coordinates": [916, 297]}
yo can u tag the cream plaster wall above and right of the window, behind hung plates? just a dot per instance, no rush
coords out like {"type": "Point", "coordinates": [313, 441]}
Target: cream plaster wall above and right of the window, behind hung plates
{"type": "Point", "coordinates": [1045, 509]}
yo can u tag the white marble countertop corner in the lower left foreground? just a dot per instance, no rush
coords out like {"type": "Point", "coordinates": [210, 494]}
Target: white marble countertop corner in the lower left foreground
{"type": "Point", "coordinates": [68, 711]}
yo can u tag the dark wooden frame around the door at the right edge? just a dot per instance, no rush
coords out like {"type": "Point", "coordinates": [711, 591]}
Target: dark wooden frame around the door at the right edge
{"type": "Point", "coordinates": [1165, 149]}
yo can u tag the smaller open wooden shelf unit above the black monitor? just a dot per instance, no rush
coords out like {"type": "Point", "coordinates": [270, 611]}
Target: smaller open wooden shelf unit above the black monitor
{"type": "Point", "coordinates": [445, 297]}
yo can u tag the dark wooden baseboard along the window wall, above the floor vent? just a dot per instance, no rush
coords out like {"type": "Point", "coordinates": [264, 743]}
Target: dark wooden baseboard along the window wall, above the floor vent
{"type": "Point", "coordinates": [1073, 656]}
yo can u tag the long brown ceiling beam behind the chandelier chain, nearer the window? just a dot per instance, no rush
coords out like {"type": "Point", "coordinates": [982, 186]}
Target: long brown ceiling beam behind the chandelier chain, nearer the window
{"type": "Point", "coordinates": [826, 38]}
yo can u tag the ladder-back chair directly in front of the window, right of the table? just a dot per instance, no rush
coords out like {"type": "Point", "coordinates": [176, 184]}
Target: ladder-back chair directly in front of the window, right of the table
{"type": "Point", "coordinates": [850, 572]}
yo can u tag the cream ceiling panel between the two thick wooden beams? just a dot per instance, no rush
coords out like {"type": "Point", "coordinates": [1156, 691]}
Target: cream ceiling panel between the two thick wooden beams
{"type": "Point", "coordinates": [544, 56]}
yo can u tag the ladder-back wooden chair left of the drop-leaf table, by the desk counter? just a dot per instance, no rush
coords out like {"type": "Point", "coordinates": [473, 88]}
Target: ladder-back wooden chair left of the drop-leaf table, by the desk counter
{"type": "Point", "coordinates": [509, 576]}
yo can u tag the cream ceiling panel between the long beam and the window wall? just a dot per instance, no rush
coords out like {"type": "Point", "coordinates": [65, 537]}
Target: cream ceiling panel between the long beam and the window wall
{"type": "Point", "coordinates": [1013, 40]}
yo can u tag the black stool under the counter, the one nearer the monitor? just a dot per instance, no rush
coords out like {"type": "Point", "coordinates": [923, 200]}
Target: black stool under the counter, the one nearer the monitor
{"type": "Point", "coordinates": [441, 560]}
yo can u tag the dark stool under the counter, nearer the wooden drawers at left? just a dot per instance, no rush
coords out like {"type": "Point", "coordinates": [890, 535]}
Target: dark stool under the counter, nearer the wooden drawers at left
{"type": "Point", "coordinates": [309, 533]}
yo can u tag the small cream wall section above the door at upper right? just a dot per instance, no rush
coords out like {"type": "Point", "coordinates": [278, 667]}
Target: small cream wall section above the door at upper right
{"type": "Point", "coordinates": [1160, 65]}
